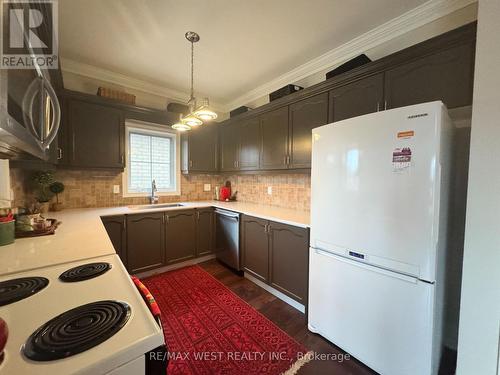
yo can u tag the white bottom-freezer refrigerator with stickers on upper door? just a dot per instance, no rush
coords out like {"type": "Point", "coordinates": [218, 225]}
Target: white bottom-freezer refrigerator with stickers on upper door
{"type": "Point", "coordinates": [379, 204]}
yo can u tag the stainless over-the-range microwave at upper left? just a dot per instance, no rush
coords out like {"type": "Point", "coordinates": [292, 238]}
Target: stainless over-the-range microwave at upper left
{"type": "Point", "coordinates": [30, 112]}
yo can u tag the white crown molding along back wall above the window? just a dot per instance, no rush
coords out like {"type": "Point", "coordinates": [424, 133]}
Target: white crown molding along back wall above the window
{"type": "Point", "coordinates": [105, 75]}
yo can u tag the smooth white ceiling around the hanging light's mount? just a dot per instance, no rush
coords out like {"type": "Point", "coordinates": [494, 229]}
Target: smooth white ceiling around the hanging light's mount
{"type": "Point", "coordinates": [243, 45]}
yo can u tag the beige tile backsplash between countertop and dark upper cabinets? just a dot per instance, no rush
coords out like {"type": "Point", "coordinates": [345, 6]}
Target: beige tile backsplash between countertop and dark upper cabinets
{"type": "Point", "coordinates": [86, 189]}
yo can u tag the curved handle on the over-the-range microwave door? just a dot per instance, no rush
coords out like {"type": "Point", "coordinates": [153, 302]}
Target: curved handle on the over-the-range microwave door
{"type": "Point", "coordinates": [35, 87]}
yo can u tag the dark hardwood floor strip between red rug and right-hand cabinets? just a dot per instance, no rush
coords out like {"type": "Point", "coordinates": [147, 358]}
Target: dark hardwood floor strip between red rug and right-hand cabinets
{"type": "Point", "coordinates": [288, 319]}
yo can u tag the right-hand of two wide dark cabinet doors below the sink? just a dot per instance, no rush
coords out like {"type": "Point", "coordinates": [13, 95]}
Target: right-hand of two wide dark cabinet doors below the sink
{"type": "Point", "coordinates": [180, 243]}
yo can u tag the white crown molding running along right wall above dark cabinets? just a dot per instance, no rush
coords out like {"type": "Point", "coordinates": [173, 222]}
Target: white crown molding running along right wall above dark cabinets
{"type": "Point", "coordinates": [411, 20]}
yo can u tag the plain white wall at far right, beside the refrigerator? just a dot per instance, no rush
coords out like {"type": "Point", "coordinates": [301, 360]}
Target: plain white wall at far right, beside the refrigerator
{"type": "Point", "coordinates": [479, 328]}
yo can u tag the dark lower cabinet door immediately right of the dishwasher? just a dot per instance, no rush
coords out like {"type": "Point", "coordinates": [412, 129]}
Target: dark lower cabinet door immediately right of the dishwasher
{"type": "Point", "coordinates": [255, 247]}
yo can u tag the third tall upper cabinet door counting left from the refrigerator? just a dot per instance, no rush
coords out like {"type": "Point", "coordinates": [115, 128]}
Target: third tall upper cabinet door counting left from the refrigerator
{"type": "Point", "coordinates": [249, 150]}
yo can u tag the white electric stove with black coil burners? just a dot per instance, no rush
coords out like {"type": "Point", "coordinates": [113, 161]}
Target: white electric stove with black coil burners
{"type": "Point", "coordinates": [90, 320]}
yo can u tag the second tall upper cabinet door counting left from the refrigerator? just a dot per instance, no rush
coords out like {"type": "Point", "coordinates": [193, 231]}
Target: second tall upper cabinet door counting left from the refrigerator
{"type": "Point", "coordinates": [274, 135]}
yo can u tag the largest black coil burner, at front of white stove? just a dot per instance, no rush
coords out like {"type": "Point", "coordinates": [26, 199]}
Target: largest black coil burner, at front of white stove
{"type": "Point", "coordinates": [77, 330]}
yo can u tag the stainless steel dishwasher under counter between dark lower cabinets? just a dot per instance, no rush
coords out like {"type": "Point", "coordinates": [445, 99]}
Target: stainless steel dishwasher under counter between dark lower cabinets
{"type": "Point", "coordinates": [227, 238]}
